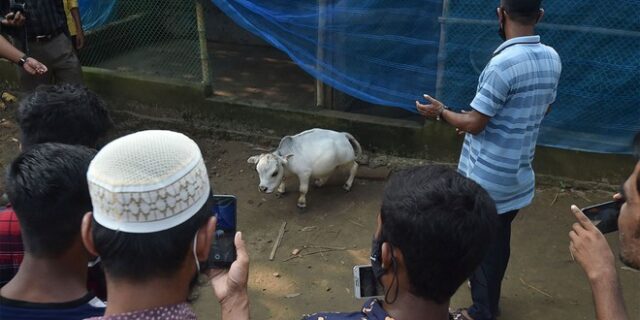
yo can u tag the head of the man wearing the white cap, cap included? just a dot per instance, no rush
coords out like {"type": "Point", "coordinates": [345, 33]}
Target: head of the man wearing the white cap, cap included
{"type": "Point", "coordinates": [151, 208]}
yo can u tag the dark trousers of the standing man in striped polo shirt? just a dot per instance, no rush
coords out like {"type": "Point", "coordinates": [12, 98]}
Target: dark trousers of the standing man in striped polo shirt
{"type": "Point", "coordinates": [487, 279]}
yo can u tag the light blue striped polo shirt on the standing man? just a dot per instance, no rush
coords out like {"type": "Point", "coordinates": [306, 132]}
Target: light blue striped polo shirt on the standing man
{"type": "Point", "coordinates": [515, 89]}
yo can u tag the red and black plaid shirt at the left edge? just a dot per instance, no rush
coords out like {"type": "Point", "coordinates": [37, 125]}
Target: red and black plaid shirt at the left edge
{"type": "Point", "coordinates": [11, 248]}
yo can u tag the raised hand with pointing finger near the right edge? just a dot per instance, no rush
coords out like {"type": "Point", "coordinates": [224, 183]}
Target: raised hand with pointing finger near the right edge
{"type": "Point", "coordinates": [590, 249]}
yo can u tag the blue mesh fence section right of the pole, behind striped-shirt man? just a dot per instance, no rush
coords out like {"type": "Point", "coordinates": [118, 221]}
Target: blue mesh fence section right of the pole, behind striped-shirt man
{"type": "Point", "coordinates": [599, 43]}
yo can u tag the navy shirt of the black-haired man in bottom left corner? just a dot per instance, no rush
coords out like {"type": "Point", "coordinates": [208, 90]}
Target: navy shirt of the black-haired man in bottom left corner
{"type": "Point", "coordinates": [85, 307]}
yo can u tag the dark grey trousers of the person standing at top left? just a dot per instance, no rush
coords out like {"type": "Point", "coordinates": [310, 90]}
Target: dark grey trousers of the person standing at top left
{"type": "Point", "coordinates": [59, 57]}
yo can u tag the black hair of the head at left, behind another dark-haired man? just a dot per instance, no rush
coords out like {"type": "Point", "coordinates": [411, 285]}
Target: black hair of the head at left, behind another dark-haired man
{"type": "Point", "coordinates": [69, 114]}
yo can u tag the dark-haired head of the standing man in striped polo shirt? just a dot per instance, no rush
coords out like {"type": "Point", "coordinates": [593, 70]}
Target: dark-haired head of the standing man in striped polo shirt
{"type": "Point", "coordinates": [518, 12]}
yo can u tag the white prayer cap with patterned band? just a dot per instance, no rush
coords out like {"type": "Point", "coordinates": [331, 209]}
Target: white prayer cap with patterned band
{"type": "Point", "coordinates": [148, 181]}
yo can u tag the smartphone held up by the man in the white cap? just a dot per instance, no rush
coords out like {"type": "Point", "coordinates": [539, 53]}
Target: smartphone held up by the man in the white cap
{"type": "Point", "coordinates": [223, 249]}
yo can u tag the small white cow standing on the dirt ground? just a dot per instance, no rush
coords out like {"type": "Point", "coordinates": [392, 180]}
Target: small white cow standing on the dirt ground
{"type": "Point", "coordinates": [314, 153]}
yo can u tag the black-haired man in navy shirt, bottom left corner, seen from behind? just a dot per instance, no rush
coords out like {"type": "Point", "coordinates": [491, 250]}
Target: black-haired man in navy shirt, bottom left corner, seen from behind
{"type": "Point", "coordinates": [47, 186]}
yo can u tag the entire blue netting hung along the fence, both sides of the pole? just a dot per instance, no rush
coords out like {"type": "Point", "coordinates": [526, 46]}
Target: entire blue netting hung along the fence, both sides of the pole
{"type": "Point", "coordinates": [386, 52]}
